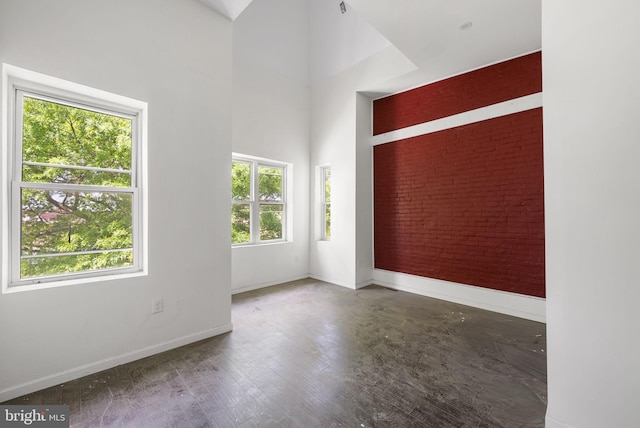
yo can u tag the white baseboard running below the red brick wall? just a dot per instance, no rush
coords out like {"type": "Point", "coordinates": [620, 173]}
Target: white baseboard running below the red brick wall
{"type": "Point", "coordinates": [528, 307]}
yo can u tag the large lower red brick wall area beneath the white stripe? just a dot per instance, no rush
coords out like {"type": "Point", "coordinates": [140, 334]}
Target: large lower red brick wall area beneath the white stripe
{"type": "Point", "coordinates": [465, 204]}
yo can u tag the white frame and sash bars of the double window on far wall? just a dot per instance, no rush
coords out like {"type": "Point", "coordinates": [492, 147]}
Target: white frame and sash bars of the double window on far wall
{"type": "Point", "coordinates": [255, 204]}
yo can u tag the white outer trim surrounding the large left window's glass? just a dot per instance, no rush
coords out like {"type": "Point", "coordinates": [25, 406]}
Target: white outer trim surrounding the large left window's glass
{"type": "Point", "coordinates": [19, 79]}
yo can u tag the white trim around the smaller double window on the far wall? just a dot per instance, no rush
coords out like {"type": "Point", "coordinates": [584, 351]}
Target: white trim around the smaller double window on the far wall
{"type": "Point", "coordinates": [287, 228]}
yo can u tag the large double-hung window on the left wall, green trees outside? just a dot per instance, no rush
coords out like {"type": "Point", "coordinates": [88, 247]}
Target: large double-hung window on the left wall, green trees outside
{"type": "Point", "coordinates": [74, 183]}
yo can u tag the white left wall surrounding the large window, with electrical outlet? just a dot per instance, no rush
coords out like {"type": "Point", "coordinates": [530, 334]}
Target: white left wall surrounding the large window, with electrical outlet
{"type": "Point", "coordinates": [176, 55]}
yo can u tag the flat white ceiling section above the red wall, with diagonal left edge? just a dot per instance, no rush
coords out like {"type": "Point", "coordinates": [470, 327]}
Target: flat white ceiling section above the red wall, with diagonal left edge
{"type": "Point", "coordinates": [446, 37]}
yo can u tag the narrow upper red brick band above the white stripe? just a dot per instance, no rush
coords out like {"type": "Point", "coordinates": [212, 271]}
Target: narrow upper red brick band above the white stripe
{"type": "Point", "coordinates": [480, 88]}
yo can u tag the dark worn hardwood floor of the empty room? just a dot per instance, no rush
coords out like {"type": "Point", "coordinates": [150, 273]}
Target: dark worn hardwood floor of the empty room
{"type": "Point", "coordinates": [312, 354]}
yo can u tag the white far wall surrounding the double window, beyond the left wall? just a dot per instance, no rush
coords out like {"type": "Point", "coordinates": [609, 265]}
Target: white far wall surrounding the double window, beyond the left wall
{"type": "Point", "coordinates": [271, 120]}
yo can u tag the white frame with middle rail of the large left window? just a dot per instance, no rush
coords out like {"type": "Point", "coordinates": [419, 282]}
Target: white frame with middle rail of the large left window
{"type": "Point", "coordinates": [18, 83]}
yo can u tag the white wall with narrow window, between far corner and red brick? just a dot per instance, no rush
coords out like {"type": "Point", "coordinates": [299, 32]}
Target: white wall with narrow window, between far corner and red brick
{"type": "Point", "coordinates": [347, 55]}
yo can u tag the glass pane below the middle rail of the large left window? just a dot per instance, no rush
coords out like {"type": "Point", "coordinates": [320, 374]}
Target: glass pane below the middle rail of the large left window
{"type": "Point", "coordinates": [64, 222]}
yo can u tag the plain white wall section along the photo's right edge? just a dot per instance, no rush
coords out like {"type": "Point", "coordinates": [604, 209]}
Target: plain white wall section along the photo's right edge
{"type": "Point", "coordinates": [592, 198]}
